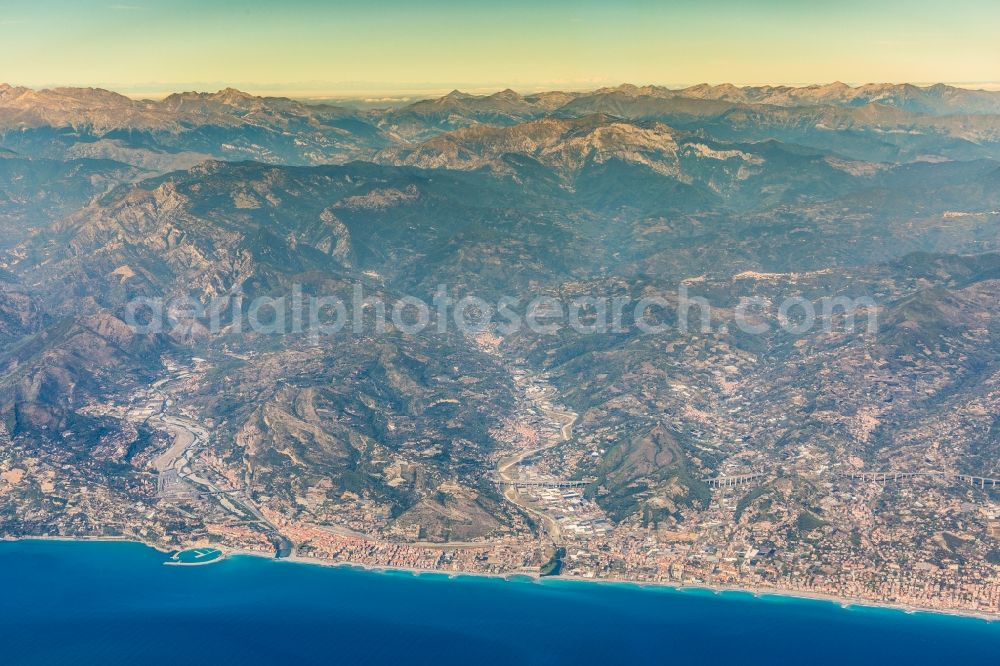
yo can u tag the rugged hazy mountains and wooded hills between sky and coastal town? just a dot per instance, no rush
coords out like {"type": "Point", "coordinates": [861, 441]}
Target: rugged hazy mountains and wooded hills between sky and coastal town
{"type": "Point", "coordinates": [890, 192]}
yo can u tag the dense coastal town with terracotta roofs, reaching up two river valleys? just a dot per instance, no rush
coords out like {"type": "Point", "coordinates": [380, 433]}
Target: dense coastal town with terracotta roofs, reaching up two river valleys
{"type": "Point", "coordinates": [923, 552]}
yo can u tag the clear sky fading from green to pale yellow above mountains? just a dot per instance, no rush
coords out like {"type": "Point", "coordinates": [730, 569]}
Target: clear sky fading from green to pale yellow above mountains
{"type": "Point", "coordinates": [392, 47]}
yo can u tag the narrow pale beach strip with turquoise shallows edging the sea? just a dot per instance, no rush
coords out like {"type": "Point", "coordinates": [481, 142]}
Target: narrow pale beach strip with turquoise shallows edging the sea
{"type": "Point", "coordinates": [845, 603]}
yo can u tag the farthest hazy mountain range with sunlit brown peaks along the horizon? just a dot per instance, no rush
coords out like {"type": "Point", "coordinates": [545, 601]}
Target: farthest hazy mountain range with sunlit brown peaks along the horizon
{"type": "Point", "coordinates": [233, 125]}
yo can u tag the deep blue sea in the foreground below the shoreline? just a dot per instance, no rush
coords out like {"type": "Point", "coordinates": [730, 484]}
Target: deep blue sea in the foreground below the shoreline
{"type": "Point", "coordinates": [115, 603]}
